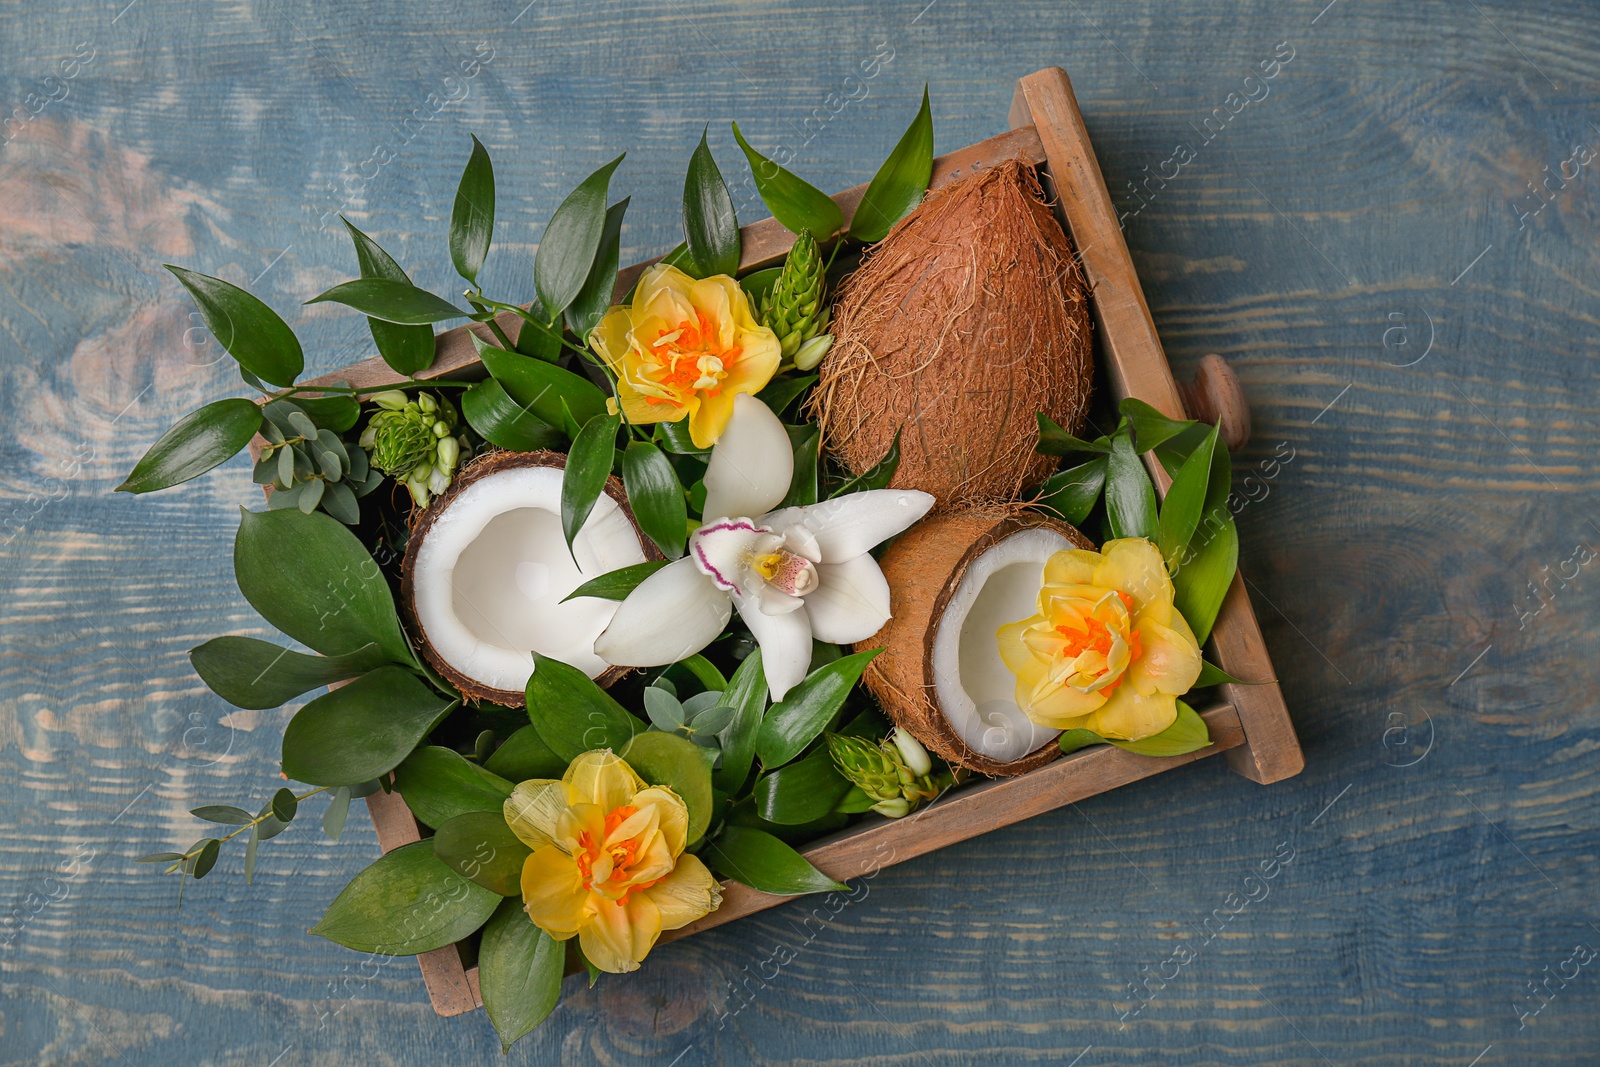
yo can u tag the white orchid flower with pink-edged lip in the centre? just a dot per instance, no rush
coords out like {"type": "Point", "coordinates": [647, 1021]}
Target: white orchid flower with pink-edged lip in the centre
{"type": "Point", "coordinates": [794, 575]}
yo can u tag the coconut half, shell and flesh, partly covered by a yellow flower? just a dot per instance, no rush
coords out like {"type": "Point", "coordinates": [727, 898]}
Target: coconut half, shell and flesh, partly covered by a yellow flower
{"type": "Point", "coordinates": [954, 581]}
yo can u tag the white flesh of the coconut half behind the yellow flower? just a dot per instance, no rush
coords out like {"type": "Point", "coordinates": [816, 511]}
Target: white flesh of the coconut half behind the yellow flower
{"type": "Point", "coordinates": [975, 689]}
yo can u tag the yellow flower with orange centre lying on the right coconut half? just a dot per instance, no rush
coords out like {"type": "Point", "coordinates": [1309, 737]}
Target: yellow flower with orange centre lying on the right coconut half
{"type": "Point", "coordinates": [1106, 652]}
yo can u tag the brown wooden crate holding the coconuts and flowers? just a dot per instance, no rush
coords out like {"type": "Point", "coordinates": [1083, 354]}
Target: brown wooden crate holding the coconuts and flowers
{"type": "Point", "coordinates": [1252, 727]}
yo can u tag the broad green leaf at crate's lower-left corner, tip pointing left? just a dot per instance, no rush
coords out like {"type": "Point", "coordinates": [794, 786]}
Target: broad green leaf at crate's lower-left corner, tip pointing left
{"type": "Point", "coordinates": [406, 903]}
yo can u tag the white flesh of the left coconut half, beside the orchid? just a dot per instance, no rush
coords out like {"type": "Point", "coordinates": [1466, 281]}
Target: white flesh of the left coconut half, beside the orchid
{"type": "Point", "coordinates": [490, 575]}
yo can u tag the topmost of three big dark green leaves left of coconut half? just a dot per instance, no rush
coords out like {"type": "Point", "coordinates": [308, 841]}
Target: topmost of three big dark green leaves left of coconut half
{"type": "Point", "coordinates": [310, 577]}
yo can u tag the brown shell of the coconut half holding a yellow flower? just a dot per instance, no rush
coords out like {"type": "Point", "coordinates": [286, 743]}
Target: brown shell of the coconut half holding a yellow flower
{"type": "Point", "coordinates": [926, 567]}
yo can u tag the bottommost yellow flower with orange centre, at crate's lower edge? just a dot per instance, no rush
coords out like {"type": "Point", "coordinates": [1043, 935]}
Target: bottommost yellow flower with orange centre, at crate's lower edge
{"type": "Point", "coordinates": [609, 861]}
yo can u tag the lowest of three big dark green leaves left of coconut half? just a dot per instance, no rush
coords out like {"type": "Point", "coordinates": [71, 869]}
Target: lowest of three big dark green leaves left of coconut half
{"type": "Point", "coordinates": [362, 730]}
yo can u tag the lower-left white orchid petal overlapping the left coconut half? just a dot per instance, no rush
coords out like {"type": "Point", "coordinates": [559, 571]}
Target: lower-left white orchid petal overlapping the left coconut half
{"type": "Point", "coordinates": [670, 617]}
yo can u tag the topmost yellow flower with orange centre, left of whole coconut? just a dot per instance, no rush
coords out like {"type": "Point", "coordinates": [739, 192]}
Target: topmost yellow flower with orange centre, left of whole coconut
{"type": "Point", "coordinates": [684, 351]}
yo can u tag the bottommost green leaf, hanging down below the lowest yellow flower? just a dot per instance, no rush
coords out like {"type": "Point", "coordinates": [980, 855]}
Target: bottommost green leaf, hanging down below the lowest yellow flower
{"type": "Point", "coordinates": [521, 972]}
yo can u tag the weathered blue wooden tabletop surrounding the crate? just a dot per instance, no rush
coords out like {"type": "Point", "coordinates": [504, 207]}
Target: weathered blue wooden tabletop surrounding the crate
{"type": "Point", "coordinates": [1394, 242]}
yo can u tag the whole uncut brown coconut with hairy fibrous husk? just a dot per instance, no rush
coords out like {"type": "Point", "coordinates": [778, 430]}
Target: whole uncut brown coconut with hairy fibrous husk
{"type": "Point", "coordinates": [959, 327]}
